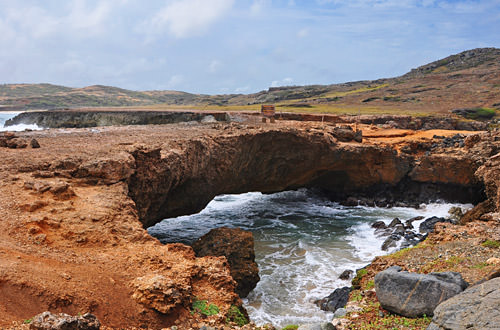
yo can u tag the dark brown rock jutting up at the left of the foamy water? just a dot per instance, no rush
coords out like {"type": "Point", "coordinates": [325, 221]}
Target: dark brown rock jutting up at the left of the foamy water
{"type": "Point", "coordinates": [238, 248]}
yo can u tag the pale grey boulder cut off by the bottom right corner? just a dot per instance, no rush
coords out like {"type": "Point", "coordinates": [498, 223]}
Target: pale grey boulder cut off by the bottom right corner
{"type": "Point", "coordinates": [478, 307]}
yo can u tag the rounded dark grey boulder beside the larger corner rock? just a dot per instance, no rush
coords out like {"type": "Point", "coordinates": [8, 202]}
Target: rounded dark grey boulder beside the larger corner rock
{"type": "Point", "coordinates": [412, 294]}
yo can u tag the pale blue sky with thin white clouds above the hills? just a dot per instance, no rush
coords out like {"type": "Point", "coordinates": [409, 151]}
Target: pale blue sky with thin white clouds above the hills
{"type": "Point", "coordinates": [233, 46]}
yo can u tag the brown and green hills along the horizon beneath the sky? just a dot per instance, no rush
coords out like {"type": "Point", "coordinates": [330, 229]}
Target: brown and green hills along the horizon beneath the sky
{"type": "Point", "coordinates": [467, 79]}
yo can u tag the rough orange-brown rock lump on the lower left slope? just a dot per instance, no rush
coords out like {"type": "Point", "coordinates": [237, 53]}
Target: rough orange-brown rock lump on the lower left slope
{"type": "Point", "coordinates": [161, 293]}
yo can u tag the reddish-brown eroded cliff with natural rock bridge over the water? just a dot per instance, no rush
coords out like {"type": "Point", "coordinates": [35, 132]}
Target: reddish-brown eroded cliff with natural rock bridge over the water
{"type": "Point", "coordinates": [75, 210]}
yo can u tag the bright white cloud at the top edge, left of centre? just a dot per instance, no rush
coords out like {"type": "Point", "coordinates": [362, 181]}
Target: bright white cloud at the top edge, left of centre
{"type": "Point", "coordinates": [185, 18]}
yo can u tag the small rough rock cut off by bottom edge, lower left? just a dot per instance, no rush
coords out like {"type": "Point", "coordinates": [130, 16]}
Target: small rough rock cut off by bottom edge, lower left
{"type": "Point", "coordinates": [61, 321]}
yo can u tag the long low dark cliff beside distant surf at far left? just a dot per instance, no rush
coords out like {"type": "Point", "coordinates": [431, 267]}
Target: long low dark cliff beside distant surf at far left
{"type": "Point", "coordinates": [85, 118]}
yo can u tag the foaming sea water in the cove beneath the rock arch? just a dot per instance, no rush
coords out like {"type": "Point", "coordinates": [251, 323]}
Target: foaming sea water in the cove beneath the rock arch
{"type": "Point", "coordinates": [303, 242]}
